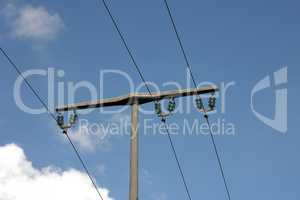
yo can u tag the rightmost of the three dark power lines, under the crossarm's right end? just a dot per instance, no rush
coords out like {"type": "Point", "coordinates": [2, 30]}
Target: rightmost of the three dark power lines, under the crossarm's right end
{"type": "Point", "coordinates": [205, 113]}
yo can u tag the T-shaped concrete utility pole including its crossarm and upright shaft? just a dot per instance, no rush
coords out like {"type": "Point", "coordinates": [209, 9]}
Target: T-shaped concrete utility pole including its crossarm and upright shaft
{"type": "Point", "coordinates": [134, 100]}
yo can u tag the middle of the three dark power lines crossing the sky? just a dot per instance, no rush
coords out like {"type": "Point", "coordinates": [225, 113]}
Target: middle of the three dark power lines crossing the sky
{"type": "Point", "coordinates": [143, 79]}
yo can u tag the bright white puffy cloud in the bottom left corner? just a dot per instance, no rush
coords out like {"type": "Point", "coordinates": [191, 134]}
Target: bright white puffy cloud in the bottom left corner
{"type": "Point", "coordinates": [19, 180]}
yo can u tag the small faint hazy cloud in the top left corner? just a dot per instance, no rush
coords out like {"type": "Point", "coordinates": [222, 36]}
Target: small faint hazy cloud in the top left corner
{"type": "Point", "coordinates": [34, 23]}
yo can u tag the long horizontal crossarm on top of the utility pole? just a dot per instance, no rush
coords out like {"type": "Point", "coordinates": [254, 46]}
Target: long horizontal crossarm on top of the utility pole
{"type": "Point", "coordinates": [139, 98]}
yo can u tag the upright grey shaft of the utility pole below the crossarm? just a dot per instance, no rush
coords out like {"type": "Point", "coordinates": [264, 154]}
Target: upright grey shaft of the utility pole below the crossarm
{"type": "Point", "coordinates": [134, 140]}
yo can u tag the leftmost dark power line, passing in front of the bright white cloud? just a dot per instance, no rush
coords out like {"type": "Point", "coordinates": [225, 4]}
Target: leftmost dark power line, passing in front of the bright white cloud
{"type": "Point", "coordinates": [51, 115]}
